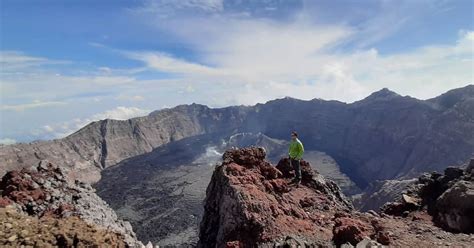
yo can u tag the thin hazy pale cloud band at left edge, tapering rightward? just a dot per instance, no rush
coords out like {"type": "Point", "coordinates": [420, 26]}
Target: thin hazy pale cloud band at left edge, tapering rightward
{"type": "Point", "coordinates": [28, 82]}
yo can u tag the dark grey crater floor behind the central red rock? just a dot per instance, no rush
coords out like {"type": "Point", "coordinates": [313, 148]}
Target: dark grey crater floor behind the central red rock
{"type": "Point", "coordinates": [175, 184]}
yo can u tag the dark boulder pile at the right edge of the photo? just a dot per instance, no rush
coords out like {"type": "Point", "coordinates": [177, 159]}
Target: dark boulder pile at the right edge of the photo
{"type": "Point", "coordinates": [449, 198]}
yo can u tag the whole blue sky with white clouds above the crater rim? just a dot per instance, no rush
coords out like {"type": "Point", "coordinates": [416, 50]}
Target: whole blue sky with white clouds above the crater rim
{"type": "Point", "coordinates": [66, 63]}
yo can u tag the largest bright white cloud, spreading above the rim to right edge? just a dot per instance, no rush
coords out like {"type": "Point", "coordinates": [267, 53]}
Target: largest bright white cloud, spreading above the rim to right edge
{"type": "Point", "coordinates": [255, 60]}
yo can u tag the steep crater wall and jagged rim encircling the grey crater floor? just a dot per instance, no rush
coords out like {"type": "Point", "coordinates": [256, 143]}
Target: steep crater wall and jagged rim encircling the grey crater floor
{"type": "Point", "coordinates": [383, 136]}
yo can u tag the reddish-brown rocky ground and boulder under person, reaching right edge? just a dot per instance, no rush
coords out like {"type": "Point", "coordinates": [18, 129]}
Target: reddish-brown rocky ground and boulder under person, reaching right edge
{"type": "Point", "coordinates": [250, 203]}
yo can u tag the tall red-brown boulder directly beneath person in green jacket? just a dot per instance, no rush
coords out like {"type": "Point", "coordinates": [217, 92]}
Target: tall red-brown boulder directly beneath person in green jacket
{"type": "Point", "coordinates": [250, 202]}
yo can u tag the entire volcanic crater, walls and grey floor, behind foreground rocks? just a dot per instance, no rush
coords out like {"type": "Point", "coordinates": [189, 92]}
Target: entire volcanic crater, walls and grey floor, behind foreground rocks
{"type": "Point", "coordinates": [167, 157]}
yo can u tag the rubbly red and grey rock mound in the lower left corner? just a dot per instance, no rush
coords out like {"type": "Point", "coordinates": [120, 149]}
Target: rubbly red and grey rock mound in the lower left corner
{"type": "Point", "coordinates": [45, 194]}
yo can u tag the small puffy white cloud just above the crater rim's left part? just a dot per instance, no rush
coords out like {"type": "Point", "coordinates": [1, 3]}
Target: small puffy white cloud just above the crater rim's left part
{"type": "Point", "coordinates": [60, 130]}
